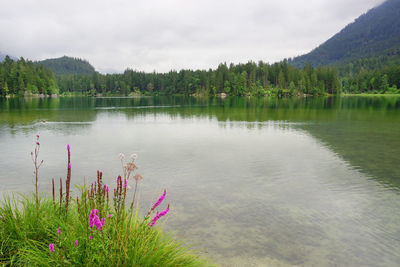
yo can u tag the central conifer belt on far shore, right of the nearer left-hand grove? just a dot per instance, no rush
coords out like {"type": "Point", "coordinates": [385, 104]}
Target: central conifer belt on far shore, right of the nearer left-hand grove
{"type": "Point", "coordinates": [236, 79]}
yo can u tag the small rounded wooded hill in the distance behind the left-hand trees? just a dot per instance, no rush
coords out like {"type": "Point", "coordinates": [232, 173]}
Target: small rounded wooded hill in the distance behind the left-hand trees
{"type": "Point", "coordinates": [68, 65]}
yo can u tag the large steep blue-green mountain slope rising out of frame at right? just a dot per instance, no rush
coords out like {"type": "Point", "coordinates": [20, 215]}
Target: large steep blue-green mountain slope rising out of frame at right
{"type": "Point", "coordinates": [373, 34]}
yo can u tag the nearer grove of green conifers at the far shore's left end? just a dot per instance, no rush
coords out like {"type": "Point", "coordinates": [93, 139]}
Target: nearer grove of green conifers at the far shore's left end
{"type": "Point", "coordinates": [22, 76]}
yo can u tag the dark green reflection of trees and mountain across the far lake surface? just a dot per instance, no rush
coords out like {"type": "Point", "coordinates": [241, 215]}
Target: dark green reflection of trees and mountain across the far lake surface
{"type": "Point", "coordinates": [363, 130]}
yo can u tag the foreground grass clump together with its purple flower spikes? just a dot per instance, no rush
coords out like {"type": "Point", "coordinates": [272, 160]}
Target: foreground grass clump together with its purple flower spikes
{"type": "Point", "coordinates": [93, 229]}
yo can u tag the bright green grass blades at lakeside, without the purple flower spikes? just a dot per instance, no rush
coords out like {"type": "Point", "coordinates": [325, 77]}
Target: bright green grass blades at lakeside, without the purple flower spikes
{"type": "Point", "coordinates": [27, 229]}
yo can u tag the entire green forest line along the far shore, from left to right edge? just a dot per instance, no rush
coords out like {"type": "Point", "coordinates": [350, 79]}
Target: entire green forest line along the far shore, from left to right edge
{"type": "Point", "coordinates": [373, 75]}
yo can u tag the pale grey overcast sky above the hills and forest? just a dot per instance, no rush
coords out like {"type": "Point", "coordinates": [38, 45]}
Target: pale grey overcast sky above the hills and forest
{"type": "Point", "coordinates": [171, 34]}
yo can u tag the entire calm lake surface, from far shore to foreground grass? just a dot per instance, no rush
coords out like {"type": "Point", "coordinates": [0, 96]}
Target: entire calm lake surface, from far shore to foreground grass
{"type": "Point", "coordinates": [250, 181]}
